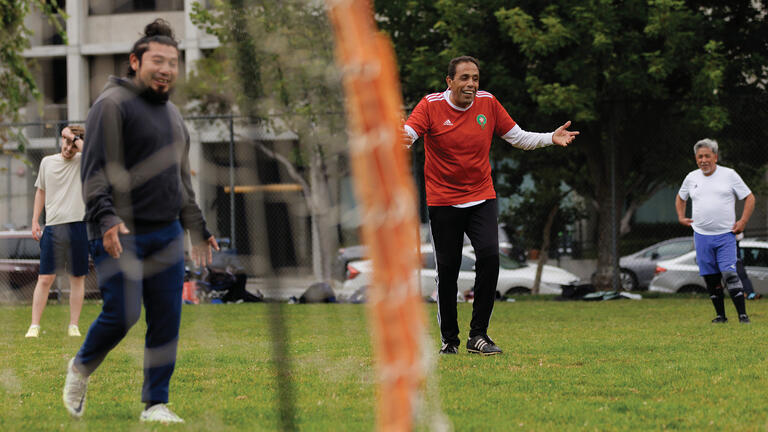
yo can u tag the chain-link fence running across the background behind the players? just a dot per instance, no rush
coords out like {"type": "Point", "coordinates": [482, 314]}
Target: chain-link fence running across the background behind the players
{"type": "Point", "coordinates": [278, 195]}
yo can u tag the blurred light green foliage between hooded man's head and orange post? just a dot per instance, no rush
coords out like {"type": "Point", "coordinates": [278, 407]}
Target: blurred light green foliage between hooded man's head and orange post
{"type": "Point", "coordinates": [275, 61]}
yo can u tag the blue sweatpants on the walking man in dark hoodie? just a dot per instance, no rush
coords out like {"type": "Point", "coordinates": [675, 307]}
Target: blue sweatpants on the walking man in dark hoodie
{"type": "Point", "coordinates": [151, 268]}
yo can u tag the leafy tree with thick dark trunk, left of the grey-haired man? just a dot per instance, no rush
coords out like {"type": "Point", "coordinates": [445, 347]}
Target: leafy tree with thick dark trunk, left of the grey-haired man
{"type": "Point", "coordinates": [640, 78]}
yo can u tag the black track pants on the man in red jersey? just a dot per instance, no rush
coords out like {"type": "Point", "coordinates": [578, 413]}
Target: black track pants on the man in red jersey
{"type": "Point", "coordinates": [448, 225]}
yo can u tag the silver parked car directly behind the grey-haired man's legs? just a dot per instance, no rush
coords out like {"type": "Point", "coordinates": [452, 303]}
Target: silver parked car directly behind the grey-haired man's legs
{"type": "Point", "coordinates": [681, 274]}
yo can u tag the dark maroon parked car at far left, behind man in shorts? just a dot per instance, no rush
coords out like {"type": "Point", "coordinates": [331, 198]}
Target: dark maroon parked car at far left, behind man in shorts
{"type": "Point", "coordinates": [20, 266]}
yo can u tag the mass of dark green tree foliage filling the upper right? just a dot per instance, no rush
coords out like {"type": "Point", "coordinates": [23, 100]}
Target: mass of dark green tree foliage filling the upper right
{"type": "Point", "coordinates": [641, 79]}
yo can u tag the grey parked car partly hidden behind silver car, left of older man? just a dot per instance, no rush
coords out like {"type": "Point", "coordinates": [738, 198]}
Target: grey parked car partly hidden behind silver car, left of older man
{"type": "Point", "coordinates": [637, 269]}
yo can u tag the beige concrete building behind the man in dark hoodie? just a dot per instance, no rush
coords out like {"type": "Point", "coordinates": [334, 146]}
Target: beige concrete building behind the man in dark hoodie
{"type": "Point", "coordinates": [70, 77]}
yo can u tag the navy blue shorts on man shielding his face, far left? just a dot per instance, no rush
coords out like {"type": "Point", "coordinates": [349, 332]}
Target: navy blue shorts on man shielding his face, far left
{"type": "Point", "coordinates": [64, 245]}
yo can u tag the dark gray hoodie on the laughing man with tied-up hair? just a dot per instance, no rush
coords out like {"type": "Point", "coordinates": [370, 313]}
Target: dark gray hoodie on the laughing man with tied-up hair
{"type": "Point", "coordinates": [135, 165]}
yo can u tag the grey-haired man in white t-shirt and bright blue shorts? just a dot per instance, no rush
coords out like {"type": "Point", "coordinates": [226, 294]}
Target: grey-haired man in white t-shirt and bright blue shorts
{"type": "Point", "coordinates": [713, 190]}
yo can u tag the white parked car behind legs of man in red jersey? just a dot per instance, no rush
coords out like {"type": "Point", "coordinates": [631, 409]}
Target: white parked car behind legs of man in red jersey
{"type": "Point", "coordinates": [514, 277]}
